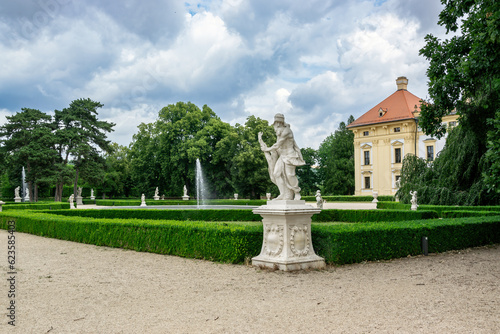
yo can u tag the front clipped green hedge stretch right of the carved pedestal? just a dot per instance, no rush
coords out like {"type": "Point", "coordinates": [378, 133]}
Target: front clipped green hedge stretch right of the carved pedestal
{"type": "Point", "coordinates": [350, 243]}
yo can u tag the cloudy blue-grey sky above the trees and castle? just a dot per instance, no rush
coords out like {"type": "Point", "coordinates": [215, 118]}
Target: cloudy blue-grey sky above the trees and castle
{"type": "Point", "coordinates": [316, 61]}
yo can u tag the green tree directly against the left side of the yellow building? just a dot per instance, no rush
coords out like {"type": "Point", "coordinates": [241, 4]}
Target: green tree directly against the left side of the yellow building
{"type": "Point", "coordinates": [336, 161]}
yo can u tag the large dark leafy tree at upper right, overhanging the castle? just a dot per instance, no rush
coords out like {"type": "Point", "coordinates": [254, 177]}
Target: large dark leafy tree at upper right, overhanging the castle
{"type": "Point", "coordinates": [464, 76]}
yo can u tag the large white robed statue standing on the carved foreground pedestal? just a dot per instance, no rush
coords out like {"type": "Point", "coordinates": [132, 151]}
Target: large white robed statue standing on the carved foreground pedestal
{"type": "Point", "coordinates": [282, 158]}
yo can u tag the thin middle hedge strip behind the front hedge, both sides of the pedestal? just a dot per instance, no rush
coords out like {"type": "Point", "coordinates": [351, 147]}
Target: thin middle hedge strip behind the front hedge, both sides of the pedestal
{"type": "Point", "coordinates": [326, 215]}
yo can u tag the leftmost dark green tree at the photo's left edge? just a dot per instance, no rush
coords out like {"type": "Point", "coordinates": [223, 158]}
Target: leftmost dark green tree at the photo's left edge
{"type": "Point", "coordinates": [29, 140]}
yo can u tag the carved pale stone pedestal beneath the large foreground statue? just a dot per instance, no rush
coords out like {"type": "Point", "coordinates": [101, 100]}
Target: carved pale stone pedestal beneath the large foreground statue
{"type": "Point", "coordinates": [287, 243]}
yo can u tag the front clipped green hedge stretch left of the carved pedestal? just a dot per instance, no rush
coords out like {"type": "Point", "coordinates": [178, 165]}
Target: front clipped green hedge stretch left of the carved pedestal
{"type": "Point", "coordinates": [211, 241]}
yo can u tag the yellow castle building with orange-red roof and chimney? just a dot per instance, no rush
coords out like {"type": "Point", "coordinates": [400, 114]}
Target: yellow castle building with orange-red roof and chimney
{"type": "Point", "coordinates": [385, 134]}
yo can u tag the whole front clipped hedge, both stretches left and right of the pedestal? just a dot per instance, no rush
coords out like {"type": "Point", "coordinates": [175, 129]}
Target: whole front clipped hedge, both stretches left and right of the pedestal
{"type": "Point", "coordinates": [233, 242]}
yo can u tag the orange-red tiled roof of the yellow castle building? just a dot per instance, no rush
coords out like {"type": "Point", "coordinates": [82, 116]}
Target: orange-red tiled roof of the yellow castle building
{"type": "Point", "coordinates": [398, 106]}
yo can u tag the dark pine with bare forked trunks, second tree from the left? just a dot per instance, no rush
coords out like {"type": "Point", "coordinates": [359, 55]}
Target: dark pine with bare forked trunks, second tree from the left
{"type": "Point", "coordinates": [80, 136]}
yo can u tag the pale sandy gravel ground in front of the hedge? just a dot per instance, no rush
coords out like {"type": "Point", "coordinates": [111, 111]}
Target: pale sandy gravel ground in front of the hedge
{"type": "Point", "coordinates": [67, 287]}
